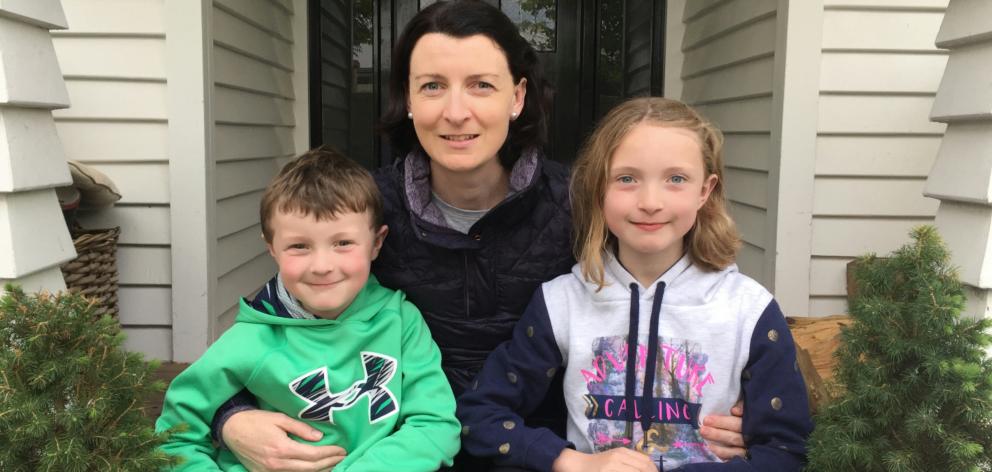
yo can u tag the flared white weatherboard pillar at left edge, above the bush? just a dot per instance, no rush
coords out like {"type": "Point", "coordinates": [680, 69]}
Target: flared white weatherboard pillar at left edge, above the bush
{"type": "Point", "coordinates": [34, 239]}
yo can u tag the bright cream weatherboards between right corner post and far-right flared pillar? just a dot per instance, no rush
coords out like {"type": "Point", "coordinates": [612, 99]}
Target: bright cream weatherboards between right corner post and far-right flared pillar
{"type": "Point", "coordinates": [879, 73]}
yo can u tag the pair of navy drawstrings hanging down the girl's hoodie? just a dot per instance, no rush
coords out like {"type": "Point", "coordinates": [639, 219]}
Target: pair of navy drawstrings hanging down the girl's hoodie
{"type": "Point", "coordinates": [652, 359]}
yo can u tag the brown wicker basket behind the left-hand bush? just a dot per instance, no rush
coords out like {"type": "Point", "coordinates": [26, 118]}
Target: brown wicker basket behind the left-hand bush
{"type": "Point", "coordinates": [93, 272]}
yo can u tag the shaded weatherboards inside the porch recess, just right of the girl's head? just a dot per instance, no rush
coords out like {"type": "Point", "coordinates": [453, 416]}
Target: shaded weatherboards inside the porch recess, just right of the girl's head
{"type": "Point", "coordinates": [727, 72]}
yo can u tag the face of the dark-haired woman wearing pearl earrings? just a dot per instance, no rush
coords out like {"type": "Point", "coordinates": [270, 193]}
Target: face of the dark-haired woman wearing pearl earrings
{"type": "Point", "coordinates": [462, 96]}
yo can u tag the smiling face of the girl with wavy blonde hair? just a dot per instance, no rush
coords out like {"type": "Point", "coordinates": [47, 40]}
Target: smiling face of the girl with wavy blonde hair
{"type": "Point", "coordinates": [657, 183]}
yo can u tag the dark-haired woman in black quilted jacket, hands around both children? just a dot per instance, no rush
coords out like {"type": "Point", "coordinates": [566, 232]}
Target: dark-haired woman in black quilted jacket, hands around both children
{"type": "Point", "coordinates": [477, 217]}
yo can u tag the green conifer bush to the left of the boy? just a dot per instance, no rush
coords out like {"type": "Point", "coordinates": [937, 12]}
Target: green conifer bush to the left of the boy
{"type": "Point", "coordinates": [70, 398]}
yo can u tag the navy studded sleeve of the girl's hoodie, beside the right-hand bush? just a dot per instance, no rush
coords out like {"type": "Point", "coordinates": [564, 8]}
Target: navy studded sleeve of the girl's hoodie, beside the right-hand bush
{"type": "Point", "coordinates": [776, 410]}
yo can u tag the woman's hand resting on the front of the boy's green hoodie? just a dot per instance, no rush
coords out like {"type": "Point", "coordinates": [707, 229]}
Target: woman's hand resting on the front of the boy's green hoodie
{"type": "Point", "coordinates": [259, 440]}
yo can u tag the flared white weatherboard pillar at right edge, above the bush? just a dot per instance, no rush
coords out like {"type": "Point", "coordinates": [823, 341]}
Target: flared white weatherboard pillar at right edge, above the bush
{"type": "Point", "coordinates": [962, 174]}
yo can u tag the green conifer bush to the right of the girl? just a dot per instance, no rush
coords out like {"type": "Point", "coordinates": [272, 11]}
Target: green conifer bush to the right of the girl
{"type": "Point", "coordinates": [916, 377]}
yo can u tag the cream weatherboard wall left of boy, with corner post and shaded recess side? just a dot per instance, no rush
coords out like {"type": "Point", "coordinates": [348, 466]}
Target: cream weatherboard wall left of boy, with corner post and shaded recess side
{"type": "Point", "coordinates": [190, 106]}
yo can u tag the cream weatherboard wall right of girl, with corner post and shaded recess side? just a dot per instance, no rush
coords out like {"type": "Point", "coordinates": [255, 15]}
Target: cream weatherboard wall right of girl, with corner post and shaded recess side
{"type": "Point", "coordinates": [824, 104]}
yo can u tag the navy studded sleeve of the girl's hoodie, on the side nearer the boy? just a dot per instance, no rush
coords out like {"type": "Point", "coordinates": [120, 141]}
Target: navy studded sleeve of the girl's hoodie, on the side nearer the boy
{"type": "Point", "coordinates": [511, 385]}
